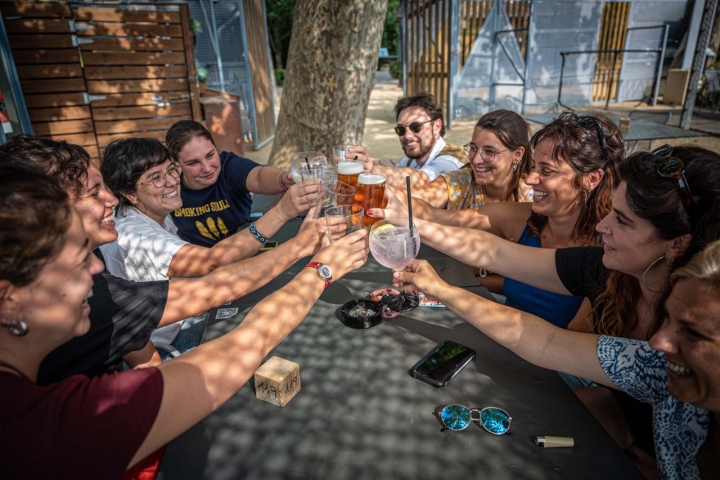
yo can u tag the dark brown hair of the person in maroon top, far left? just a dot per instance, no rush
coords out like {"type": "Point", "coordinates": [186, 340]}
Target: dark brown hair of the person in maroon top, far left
{"type": "Point", "coordinates": [35, 215]}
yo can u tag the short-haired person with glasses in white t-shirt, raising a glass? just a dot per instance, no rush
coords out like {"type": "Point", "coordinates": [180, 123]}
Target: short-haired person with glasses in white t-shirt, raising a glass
{"type": "Point", "coordinates": [141, 174]}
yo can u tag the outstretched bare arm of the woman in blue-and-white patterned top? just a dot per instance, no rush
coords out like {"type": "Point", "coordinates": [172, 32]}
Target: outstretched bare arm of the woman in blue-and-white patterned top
{"type": "Point", "coordinates": [532, 338]}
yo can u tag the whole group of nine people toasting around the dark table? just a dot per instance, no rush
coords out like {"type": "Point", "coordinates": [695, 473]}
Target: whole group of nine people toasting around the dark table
{"type": "Point", "coordinates": [610, 268]}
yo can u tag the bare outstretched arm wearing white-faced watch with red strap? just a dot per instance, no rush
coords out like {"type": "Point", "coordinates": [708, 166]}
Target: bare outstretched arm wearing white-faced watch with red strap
{"type": "Point", "coordinates": [201, 380]}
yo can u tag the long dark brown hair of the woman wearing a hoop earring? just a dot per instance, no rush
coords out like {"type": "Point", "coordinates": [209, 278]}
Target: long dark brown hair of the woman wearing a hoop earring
{"type": "Point", "coordinates": [656, 199]}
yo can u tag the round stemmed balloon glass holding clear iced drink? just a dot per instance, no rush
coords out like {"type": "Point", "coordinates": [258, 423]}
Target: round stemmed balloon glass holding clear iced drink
{"type": "Point", "coordinates": [394, 244]}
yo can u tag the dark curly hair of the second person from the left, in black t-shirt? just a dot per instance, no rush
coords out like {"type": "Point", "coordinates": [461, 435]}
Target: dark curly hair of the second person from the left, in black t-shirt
{"type": "Point", "coordinates": [64, 161]}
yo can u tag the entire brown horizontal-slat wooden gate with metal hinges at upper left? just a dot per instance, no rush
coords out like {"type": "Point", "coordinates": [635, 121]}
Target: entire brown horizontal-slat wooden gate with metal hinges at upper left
{"type": "Point", "coordinates": [91, 73]}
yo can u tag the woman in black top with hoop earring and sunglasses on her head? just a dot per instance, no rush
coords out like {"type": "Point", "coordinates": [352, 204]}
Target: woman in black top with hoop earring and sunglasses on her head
{"type": "Point", "coordinates": [651, 231]}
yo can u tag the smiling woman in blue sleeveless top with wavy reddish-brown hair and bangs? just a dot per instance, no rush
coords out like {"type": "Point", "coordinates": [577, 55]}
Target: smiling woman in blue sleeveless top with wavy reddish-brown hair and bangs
{"type": "Point", "coordinates": [574, 171]}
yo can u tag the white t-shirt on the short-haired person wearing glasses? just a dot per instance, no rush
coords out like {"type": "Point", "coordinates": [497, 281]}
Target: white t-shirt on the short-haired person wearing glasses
{"type": "Point", "coordinates": [143, 252]}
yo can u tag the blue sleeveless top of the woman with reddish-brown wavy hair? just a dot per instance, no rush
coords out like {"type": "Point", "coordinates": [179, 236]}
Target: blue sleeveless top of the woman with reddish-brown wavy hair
{"type": "Point", "coordinates": [556, 309]}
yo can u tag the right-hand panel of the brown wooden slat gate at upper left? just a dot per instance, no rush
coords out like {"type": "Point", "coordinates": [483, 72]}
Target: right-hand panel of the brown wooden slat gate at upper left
{"type": "Point", "coordinates": [143, 65]}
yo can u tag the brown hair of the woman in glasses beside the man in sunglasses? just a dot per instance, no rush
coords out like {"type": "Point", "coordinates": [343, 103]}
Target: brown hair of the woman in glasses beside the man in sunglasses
{"type": "Point", "coordinates": [513, 132]}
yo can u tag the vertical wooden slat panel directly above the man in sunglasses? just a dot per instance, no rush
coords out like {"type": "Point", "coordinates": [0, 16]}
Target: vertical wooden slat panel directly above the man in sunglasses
{"type": "Point", "coordinates": [427, 36]}
